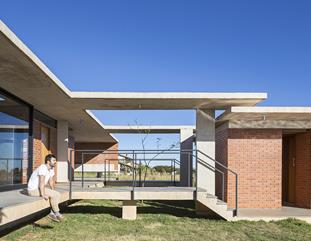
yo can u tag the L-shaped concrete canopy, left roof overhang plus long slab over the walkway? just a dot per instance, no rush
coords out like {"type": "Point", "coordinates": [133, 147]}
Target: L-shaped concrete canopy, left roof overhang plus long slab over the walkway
{"type": "Point", "coordinates": [26, 76]}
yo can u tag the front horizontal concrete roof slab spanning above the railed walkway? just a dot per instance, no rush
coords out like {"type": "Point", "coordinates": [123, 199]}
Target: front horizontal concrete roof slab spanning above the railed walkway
{"type": "Point", "coordinates": [164, 101]}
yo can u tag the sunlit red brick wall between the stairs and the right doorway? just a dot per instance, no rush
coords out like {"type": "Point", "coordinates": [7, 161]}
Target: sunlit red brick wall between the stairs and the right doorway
{"type": "Point", "coordinates": [256, 155]}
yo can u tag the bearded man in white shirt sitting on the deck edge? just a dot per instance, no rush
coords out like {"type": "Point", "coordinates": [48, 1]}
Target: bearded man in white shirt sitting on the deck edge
{"type": "Point", "coordinates": [43, 175]}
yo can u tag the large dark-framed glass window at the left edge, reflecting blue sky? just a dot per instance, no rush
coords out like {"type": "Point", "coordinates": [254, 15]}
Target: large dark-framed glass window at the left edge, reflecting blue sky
{"type": "Point", "coordinates": [14, 139]}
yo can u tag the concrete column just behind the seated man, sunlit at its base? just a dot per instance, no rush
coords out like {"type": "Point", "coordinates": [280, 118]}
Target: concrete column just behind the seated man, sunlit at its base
{"type": "Point", "coordinates": [62, 151]}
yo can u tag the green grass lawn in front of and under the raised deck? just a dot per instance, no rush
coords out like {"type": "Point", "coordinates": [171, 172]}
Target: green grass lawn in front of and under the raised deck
{"type": "Point", "coordinates": [99, 220]}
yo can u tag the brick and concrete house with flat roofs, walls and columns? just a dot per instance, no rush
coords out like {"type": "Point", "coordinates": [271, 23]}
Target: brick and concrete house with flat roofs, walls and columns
{"type": "Point", "coordinates": [268, 147]}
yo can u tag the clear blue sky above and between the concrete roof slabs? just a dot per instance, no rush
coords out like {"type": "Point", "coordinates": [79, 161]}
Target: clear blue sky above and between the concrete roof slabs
{"type": "Point", "coordinates": [171, 45]}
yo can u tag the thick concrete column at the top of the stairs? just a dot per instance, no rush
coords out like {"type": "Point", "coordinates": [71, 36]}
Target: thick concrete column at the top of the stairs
{"type": "Point", "coordinates": [205, 142]}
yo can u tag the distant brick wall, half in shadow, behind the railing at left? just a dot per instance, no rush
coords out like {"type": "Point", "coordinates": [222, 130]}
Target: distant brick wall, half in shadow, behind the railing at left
{"type": "Point", "coordinates": [109, 158]}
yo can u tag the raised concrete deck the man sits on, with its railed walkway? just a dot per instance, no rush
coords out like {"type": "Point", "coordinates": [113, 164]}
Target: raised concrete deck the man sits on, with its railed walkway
{"type": "Point", "coordinates": [16, 205]}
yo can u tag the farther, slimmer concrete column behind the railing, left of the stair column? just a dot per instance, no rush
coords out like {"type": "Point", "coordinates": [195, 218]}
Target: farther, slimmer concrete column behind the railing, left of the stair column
{"type": "Point", "coordinates": [186, 143]}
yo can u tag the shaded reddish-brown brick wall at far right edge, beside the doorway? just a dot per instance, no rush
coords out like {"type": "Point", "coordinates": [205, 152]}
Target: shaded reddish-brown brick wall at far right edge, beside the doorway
{"type": "Point", "coordinates": [303, 170]}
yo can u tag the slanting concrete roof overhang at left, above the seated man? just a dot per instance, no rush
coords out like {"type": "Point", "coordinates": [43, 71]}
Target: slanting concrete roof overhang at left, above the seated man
{"type": "Point", "coordinates": [23, 74]}
